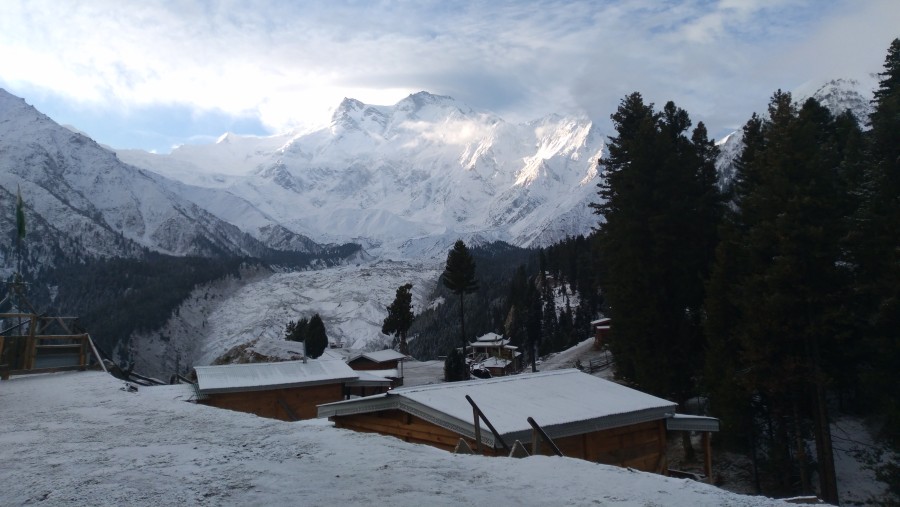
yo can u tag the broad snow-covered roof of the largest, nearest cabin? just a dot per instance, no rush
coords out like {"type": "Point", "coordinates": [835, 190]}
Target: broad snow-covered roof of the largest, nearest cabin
{"type": "Point", "coordinates": [563, 402]}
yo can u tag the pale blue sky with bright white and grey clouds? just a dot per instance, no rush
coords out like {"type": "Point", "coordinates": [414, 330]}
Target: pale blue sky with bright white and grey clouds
{"type": "Point", "coordinates": [155, 74]}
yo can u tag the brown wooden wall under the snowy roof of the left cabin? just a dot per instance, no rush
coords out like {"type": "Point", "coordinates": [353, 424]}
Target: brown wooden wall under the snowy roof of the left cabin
{"type": "Point", "coordinates": [302, 401]}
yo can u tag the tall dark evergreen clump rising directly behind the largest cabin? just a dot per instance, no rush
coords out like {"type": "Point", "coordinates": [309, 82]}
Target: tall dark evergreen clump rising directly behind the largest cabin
{"type": "Point", "coordinates": [660, 206]}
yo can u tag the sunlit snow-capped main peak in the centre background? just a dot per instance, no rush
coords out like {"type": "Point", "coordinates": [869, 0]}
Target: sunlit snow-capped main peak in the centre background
{"type": "Point", "coordinates": [409, 178]}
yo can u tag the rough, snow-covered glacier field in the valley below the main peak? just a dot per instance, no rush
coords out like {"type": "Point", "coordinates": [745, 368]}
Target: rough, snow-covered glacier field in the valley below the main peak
{"type": "Point", "coordinates": [351, 299]}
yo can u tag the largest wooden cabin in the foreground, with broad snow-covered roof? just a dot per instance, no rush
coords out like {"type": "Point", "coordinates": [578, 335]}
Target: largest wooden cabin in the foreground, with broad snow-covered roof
{"type": "Point", "coordinates": [585, 416]}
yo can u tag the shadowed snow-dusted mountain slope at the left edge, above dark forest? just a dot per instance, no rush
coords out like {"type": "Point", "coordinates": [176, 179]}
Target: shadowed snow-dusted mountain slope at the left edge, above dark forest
{"type": "Point", "coordinates": [89, 195]}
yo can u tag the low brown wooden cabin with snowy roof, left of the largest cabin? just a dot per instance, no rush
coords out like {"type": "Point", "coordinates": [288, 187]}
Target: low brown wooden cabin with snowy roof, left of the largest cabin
{"type": "Point", "coordinates": [288, 390]}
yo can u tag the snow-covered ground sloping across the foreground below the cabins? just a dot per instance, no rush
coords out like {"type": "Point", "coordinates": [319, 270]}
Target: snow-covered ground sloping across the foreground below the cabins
{"type": "Point", "coordinates": [78, 439]}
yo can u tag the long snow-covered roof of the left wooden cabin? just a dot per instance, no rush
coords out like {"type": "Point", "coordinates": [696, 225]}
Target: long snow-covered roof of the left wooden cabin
{"type": "Point", "coordinates": [262, 376]}
